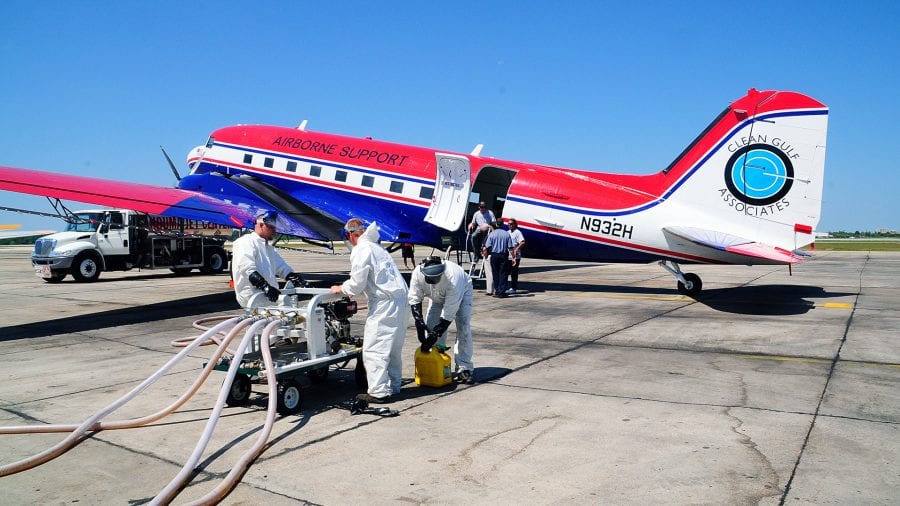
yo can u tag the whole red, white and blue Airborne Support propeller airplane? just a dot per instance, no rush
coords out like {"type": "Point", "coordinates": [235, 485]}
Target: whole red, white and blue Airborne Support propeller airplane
{"type": "Point", "coordinates": [747, 190]}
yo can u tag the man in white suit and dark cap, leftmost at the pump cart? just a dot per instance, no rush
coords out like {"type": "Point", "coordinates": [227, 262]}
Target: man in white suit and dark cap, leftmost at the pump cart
{"type": "Point", "coordinates": [256, 266]}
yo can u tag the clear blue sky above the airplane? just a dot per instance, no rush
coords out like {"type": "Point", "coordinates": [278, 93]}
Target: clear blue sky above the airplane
{"type": "Point", "coordinates": [95, 88]}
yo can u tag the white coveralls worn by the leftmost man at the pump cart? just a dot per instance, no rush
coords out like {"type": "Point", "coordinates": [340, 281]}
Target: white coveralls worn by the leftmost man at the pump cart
{"type": "Point", "coordinates": [250, 253]}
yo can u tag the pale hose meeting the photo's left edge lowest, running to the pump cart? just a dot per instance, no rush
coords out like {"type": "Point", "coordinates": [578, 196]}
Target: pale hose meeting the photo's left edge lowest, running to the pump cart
{"type": "Point", "coordinates": [72, 439]}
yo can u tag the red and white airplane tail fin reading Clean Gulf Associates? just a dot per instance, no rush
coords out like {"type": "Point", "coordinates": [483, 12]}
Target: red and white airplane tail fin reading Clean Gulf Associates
{"type": "Point", "coordinates": [756, 172]}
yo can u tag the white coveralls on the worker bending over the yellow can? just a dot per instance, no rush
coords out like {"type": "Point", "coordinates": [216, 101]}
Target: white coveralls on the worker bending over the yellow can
{"type": "Point", "coordinates": [451, 299]}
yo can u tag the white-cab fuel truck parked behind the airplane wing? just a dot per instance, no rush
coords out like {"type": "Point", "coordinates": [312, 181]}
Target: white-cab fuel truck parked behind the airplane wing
{"type": "Point", "coordinates": [119, 240]}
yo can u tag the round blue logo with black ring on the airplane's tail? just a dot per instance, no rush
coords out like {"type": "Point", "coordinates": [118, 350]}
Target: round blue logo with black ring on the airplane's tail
{"type": "Point", "coordinates": [758, 174]}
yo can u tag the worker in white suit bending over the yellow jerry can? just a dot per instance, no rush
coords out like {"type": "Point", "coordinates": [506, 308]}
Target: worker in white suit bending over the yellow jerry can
{"type": "Point", "coordinates": [450, 290]}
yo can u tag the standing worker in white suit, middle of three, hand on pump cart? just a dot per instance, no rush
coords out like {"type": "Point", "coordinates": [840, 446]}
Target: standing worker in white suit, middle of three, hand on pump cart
{"type": "Point", "coordinates": [373, 272]}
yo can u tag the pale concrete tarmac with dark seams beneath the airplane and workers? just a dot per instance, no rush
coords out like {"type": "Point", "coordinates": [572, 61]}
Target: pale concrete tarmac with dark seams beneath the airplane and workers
{"type": "Point", "coordinates": [604, 387]}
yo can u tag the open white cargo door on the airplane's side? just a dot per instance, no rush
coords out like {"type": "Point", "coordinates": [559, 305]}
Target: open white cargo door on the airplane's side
{"type": "Point", "coordinates": [451, 192]}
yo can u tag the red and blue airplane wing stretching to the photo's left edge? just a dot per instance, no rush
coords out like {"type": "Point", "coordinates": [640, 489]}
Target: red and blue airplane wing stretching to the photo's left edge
{"type": "Point", "coordinates": [232, 205]}
